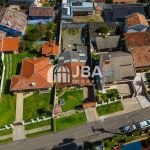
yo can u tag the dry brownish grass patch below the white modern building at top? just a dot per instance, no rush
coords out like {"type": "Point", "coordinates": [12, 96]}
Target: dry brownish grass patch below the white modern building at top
{"type": "Point", "coordinates": [90, 18]}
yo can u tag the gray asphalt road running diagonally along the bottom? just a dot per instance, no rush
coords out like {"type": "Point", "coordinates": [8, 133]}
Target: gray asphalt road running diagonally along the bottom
{"type": "Point", "coordinates": [88, 132]}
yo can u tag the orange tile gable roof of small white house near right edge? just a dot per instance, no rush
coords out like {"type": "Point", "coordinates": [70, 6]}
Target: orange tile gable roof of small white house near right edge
{"type": "Point", "coordinates": [135, 19]}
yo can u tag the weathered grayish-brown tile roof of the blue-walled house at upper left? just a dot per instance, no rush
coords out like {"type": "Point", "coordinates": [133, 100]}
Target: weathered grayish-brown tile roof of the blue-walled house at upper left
{"type": "Point", "coordinates": [13, 19]}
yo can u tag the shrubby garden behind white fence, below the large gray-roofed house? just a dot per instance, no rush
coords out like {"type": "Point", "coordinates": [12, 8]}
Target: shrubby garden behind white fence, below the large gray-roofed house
{"type": "Point", "coordinates": [110, 94]}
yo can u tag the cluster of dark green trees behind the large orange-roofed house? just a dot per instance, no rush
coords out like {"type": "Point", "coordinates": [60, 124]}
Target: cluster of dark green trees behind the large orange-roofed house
{"type": "Point", "coordinates": [37, 33]}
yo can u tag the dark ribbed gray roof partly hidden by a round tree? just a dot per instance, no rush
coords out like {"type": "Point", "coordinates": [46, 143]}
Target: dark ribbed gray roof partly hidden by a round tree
{"type": "Point", "coordinates": [94, 26]}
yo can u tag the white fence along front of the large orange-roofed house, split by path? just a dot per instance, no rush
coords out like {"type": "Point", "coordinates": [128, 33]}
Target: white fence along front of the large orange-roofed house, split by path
{"type": "Point", "coordinates": [6, 127]}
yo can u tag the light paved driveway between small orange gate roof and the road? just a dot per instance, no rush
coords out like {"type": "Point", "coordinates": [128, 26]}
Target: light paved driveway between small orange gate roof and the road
{"type": "Point", "coordinates": [91, 114]}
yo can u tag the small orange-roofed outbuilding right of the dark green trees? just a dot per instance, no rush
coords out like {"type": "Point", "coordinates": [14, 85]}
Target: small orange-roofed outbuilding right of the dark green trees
{"type": "Point", "coordinates": [50, 48]}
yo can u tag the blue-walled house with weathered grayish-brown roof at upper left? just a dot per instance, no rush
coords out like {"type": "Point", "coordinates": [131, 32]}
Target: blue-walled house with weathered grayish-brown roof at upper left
{"type": "Point", "coordinates": [13, 22]}
